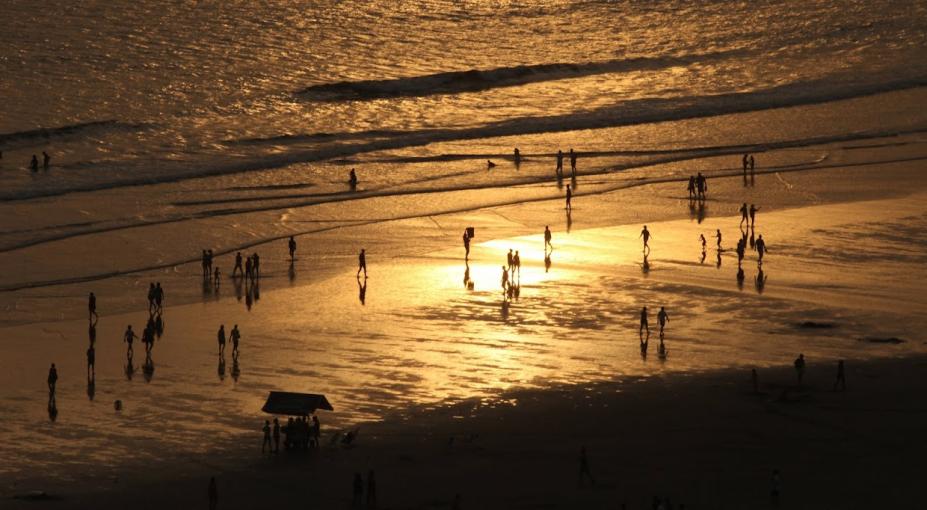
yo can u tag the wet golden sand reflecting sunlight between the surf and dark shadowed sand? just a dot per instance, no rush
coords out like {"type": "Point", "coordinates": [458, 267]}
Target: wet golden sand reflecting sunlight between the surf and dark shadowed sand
{"type": "Point", "coordinates": [844, 252]}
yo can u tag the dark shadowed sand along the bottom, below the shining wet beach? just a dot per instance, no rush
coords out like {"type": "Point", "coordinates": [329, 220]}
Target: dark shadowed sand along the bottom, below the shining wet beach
{"type": "Point", "coordinates": [704, 440]}
